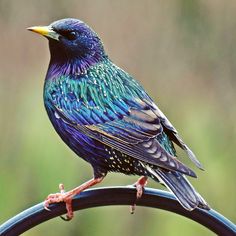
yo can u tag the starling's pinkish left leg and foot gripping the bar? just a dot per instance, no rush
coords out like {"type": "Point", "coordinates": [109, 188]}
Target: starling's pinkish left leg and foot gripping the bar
{"type": "Point", "coordinates": [68, 196]}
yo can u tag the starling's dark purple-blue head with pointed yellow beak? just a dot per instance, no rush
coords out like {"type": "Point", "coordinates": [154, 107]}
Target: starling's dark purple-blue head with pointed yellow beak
{"type": "Point", "coordinates": [71, 40]}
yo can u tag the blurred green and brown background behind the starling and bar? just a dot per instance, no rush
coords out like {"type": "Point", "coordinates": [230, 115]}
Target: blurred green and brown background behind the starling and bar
{"type": "Point", "coordinates": [183, 52]}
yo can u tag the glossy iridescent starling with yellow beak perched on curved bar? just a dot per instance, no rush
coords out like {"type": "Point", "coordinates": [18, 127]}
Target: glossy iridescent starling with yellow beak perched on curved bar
{"type": "Point", "coordinates": [107, 118]}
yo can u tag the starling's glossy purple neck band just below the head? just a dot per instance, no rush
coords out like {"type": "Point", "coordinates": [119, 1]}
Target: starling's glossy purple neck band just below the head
{"type": "Point", "coordinates": [74, 66]}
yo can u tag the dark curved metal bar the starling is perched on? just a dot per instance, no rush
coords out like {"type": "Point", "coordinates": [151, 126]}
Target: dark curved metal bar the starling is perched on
{"type": "Point", "coordinates": [117, 196]}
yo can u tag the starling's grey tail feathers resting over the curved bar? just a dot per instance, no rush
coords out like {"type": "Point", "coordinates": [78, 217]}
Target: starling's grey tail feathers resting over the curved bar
{"type": "Point", "coordinates": [178, 184]}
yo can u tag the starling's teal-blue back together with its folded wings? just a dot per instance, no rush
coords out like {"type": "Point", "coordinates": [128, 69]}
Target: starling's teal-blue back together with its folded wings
{"type": "Point", "coordinates": [110, 106]}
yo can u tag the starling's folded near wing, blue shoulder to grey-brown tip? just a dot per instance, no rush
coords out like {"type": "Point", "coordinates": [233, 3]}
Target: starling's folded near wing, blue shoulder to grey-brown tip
{"type": "Point", "coordinates": [131, 127]}
